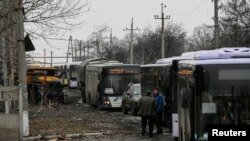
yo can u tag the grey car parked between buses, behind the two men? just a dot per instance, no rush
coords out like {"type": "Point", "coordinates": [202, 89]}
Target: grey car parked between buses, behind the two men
{"type": "Point", "coordinates": [130, 99]}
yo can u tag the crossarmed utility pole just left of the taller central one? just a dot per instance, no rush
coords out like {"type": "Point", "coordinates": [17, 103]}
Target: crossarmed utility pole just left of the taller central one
{"type": "Point", "coordinates": [131, 40]}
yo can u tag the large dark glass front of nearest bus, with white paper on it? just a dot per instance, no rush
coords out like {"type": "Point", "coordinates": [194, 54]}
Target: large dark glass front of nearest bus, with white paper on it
{"type": "Point", "coordinates": [225, 95]}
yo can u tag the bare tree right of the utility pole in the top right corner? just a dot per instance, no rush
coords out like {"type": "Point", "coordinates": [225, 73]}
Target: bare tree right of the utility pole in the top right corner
{"type": "Point", "coordinates": [235, 23]}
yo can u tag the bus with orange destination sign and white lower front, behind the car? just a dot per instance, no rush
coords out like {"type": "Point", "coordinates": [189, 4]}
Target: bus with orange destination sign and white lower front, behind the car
{"type": "Point", "coordinates": [103, 82]}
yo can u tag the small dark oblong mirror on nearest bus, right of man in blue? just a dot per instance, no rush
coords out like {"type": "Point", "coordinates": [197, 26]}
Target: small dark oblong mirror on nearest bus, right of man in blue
{"type": "Point", "coordinates": [186, 98]}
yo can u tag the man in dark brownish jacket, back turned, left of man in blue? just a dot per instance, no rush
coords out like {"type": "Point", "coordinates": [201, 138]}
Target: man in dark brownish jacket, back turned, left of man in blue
{"type": "Point", "coordinates": [147, 112]}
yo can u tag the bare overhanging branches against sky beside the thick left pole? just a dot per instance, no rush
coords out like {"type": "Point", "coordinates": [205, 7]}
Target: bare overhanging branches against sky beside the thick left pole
{"type": "Point", "coordinates": [46, 18]}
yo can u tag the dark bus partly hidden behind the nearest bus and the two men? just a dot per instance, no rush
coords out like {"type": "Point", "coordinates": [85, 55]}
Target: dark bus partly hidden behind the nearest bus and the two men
{"type": "Point", "coordinates": [162, 75]}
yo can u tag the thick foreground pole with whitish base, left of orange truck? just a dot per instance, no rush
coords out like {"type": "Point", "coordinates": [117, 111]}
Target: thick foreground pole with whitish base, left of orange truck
{"type": "Point", "coordinates": [23, 96]}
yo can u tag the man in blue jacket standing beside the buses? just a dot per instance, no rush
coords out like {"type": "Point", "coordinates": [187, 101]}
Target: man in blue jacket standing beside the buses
{"type": "Point", "coordinates": [159, 100]}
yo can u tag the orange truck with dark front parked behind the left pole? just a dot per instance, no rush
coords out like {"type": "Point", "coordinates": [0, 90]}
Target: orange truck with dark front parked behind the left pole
{"type": "Point", "coordinates": [42, 83]}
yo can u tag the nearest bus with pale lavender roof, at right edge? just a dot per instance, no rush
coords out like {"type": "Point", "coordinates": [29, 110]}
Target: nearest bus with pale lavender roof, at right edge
{"type": "Point", "coordinates": [213, 89]}
